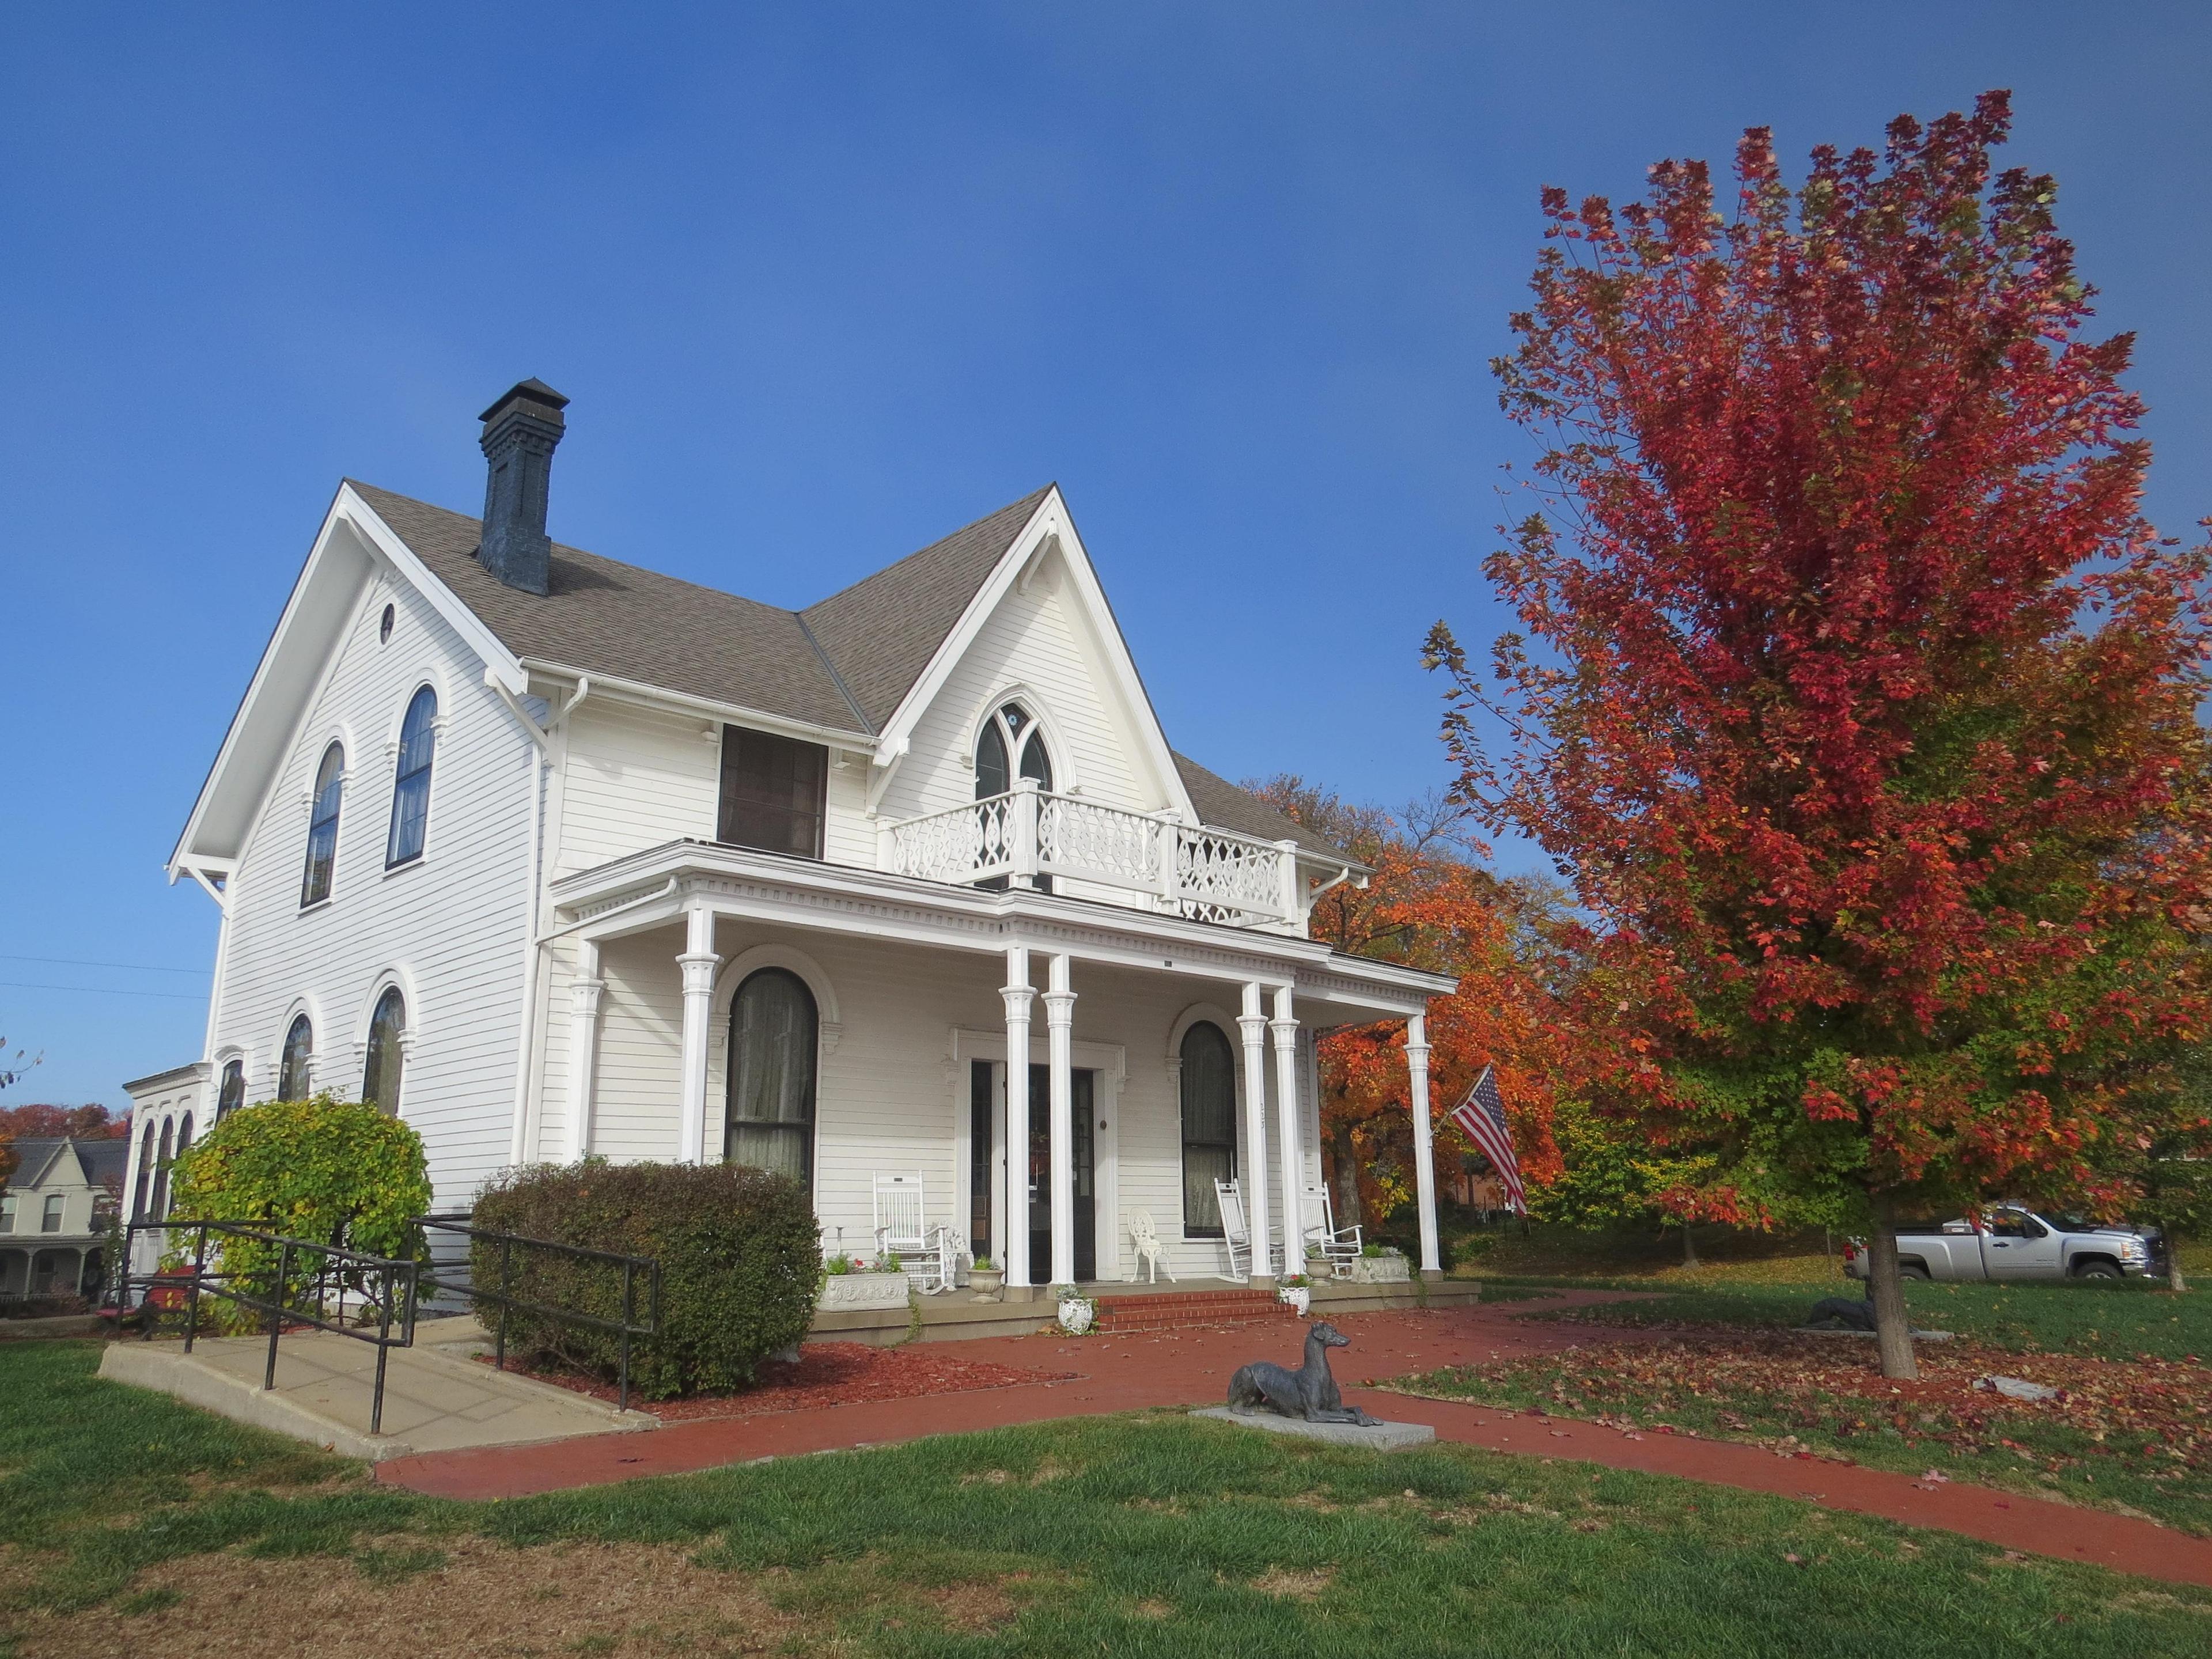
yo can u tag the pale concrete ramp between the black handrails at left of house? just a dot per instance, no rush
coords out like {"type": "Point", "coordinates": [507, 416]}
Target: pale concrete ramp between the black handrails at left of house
{"type": "Point", "coordinates": [437, 1397]}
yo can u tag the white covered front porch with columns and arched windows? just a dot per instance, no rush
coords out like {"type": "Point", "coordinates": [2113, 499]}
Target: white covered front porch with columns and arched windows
{"type": "Point", "coordinates": [1061, 1076]}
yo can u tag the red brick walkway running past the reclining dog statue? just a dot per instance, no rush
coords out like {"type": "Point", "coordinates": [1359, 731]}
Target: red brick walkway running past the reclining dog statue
{"type": "Point", "coordinates": [1193, 1368]}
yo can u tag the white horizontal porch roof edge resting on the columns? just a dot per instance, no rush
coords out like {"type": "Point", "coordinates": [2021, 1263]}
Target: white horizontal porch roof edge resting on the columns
{"type": "Point", "coordinates": [656, 888]}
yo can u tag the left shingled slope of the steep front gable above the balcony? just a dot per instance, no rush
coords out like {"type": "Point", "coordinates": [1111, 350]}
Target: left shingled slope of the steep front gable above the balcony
{"type": "Point", "coordinates": [884, 629]}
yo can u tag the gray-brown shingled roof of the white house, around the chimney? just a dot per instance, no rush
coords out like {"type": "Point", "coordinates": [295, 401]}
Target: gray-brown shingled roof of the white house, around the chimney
{"type": "Point", "coordinates": [844, 662]}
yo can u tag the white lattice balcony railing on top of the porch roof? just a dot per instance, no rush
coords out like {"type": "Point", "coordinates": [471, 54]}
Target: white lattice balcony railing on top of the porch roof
{"type": "Point", "coordinates": [1027, 833]}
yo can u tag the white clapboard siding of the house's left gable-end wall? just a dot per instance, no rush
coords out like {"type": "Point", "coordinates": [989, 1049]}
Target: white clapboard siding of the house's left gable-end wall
{"type": "Point", "coordinates": [450, 926]}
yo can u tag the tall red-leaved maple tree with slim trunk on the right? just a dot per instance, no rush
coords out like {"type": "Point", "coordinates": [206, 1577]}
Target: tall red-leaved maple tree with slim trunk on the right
{"type": "Point", "coordinates": [1857, 696]}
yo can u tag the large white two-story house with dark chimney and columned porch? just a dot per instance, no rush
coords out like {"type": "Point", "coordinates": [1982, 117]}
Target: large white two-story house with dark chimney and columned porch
{"type": "Point", "coordinates": [561, 857]}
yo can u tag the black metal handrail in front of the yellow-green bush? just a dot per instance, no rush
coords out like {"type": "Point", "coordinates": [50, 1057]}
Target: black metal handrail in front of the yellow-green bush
{"type": "Point", "coordinates": [353, 1269]}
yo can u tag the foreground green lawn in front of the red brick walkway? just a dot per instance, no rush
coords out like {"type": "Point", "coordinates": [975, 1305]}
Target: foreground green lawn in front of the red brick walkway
{"type": "Point", "coordinates": [1131, 1536]}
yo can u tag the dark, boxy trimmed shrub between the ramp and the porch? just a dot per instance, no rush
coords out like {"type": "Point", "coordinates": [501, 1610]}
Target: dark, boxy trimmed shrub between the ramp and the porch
{"type": "Point", "coordinates": [740, 1266]}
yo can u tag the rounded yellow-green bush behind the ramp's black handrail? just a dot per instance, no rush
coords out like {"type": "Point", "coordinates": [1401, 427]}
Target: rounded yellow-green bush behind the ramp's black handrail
{"type": "Point", "coordinates": [328, 1171]}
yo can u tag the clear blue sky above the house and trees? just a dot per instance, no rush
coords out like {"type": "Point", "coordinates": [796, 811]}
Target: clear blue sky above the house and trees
{"type": "Point", "coordinates": [833, 280]}
